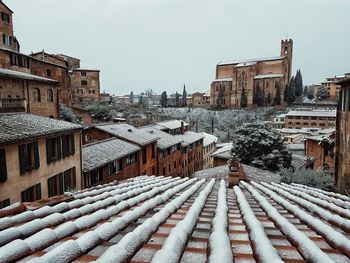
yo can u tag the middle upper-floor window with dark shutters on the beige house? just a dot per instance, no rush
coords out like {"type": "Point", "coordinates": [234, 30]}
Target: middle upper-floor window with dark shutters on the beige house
{"type": "Point", "coordinates": [28, 157]}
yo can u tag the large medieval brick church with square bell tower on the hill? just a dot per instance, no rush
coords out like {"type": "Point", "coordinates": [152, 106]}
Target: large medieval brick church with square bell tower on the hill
{"type": "Point", "coordinates": [260, 82]}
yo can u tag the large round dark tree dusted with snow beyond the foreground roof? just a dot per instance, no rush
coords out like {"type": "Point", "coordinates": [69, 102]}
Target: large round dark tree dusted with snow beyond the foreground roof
{"type": "Point", "coordinates": [259, 146]}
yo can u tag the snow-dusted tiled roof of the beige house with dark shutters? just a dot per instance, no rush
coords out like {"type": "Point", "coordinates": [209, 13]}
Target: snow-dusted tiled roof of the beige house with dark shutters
{"type": "Point", "coordinates": [22, 126]}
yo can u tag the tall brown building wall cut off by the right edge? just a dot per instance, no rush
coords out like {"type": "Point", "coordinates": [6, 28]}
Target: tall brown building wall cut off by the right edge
{"type": "Point", "coordinates": [342, 150]}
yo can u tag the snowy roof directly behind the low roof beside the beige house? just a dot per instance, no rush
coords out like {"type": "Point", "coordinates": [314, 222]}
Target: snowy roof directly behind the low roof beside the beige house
{"type": "Point", "coordinates": [129, 133]}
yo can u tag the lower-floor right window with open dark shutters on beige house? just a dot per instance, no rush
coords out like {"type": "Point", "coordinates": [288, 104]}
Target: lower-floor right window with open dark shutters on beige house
{"type": "Point", "coordinates": [62, 182]}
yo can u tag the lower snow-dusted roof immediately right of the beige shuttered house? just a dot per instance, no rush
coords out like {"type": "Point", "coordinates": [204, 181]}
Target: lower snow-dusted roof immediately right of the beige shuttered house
{"type": "Point", "coordinates": [101, 153]}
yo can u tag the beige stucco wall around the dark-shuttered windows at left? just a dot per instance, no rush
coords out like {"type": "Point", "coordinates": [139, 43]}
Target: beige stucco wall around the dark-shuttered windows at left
{"type": "Point", "coordinates": [17, 183]}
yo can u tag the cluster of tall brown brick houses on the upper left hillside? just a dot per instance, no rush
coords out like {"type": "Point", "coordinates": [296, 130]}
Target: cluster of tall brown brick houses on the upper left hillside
{"type": "Point", "coordinates": [38, 82]}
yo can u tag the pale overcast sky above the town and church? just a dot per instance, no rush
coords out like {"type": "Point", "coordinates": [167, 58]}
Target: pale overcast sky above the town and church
{"type": "Point", "coordinates": [162, 44]}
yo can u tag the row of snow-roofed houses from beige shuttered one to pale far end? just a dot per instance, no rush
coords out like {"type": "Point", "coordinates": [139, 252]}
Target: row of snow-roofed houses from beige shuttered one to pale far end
{"type": "Point", "coordinates": [42, 157]}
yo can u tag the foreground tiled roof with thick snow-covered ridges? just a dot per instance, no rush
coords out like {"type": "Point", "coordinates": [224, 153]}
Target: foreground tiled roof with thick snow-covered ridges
{"type": "Point", "coordinates": [162, 219]}
